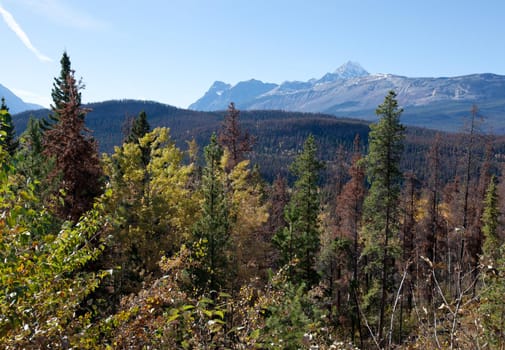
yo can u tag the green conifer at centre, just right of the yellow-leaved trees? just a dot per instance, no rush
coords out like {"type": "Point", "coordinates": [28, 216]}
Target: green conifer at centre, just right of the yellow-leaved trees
{"type": "Point", "coordinates": [299, 241]}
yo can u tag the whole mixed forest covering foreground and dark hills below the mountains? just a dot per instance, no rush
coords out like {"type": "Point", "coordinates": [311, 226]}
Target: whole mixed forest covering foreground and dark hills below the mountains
{"type": "Point", "coordinates": [359, 236]}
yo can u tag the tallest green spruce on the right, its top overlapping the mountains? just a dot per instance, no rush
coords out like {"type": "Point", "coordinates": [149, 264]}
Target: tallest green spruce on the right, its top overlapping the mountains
{"type": "Point", "coordinates": [381, 208]}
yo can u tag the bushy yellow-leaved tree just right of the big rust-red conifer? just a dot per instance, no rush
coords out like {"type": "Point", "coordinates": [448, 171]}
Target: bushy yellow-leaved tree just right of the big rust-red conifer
{"type": "Point", "coordinates": [151, 208]}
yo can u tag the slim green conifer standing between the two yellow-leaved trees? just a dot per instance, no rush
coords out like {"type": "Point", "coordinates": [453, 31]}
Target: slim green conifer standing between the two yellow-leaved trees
{"type": "Point", "coordinates": [212, 231]}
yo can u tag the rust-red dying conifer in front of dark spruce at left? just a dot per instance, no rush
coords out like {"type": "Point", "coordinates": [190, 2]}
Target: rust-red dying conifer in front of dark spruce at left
{"type": "Point", "coordinates": [75, 154]}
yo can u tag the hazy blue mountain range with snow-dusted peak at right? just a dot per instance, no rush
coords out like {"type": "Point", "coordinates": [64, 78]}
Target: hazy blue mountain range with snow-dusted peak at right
{"type": "Point", "coordinates": [350, 91]}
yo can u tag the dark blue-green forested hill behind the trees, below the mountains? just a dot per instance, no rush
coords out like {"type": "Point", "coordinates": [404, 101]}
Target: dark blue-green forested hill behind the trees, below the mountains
{"type": "Point", "coordinates": [279, 134]}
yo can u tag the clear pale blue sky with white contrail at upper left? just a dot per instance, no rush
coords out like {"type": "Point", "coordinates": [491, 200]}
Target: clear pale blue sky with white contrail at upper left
{"type": "Point", "coordinates": [171, 51]}
